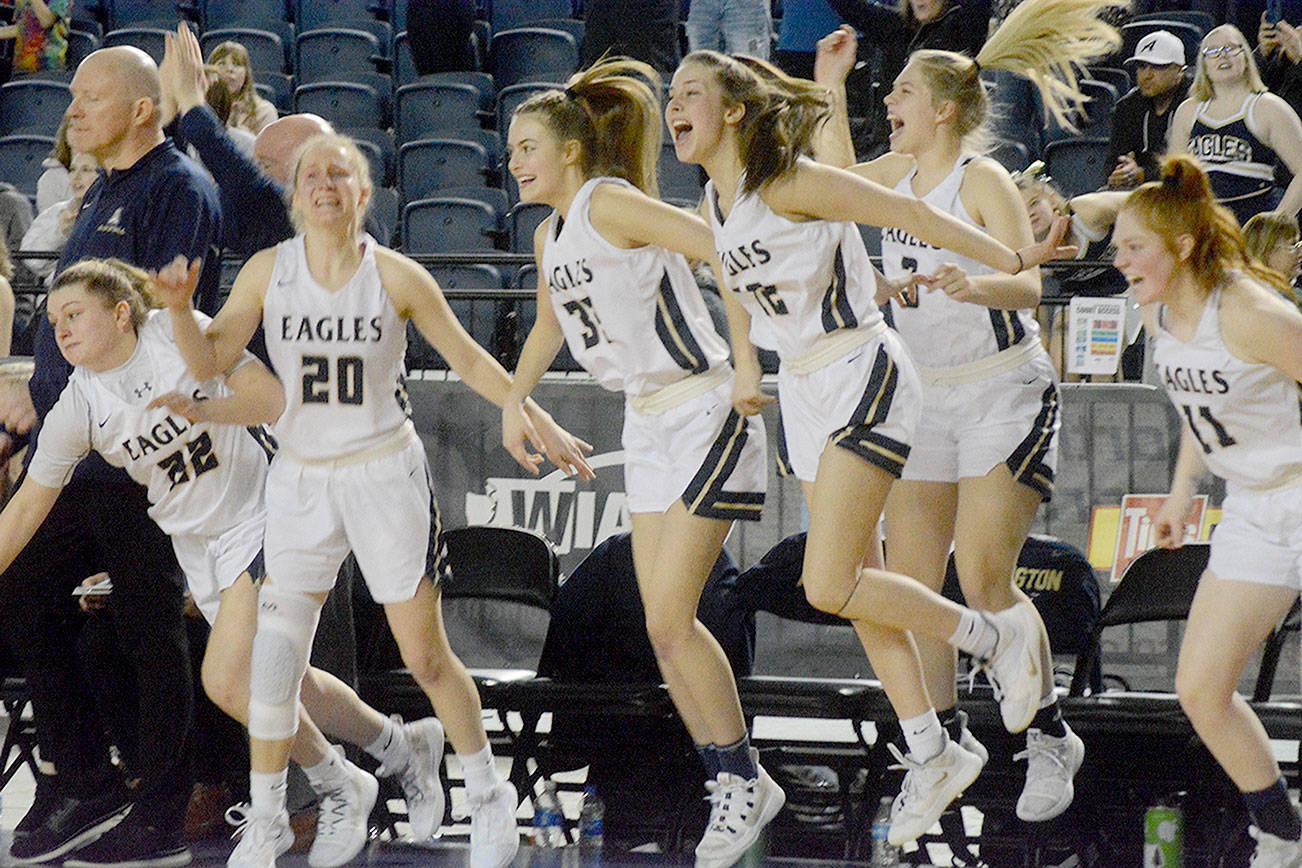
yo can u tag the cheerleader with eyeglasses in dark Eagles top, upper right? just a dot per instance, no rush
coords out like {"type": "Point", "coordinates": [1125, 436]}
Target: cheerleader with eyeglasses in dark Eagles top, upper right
{"type": "Point", "coordinates": [1239, 131]}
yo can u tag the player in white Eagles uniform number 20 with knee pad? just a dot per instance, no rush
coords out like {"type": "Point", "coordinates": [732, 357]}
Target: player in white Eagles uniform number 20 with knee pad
{"type": "Point", "coordinates": [351, 473]}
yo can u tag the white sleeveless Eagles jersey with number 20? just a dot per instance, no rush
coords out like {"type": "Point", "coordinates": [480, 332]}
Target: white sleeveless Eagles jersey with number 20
{"type": "Point", "coordinates": [339, 356]}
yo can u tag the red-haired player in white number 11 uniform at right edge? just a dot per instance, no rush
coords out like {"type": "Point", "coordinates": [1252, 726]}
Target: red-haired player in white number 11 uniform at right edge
{"type": "Point", "coordinates": [1230, 355]}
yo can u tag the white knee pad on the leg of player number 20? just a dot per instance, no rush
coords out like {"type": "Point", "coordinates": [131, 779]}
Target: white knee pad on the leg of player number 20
{"type": "Point", "coordinates": [287, 623]}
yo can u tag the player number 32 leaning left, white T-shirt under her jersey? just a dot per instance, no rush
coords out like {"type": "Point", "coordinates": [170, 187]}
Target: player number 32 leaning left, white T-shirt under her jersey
{"type": "Point", "coordinates": [132, 400]}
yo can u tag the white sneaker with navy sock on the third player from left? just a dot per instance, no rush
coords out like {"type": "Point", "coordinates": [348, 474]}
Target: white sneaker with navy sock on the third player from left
{"type": "Point", "coordinates": [739, 813]}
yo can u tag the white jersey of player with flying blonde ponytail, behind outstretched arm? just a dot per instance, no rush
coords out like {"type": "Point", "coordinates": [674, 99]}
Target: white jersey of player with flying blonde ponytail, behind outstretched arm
{"type": "Point", "coordinates": [939, 331]}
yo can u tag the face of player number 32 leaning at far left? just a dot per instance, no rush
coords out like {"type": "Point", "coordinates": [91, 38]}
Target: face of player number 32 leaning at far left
{"type": "Point", "coordinates": [89, 334]}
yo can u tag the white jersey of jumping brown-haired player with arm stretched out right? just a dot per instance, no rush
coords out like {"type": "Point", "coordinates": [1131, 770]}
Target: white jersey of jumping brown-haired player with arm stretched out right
{"type": "Point", "coordinates": [805, 279]}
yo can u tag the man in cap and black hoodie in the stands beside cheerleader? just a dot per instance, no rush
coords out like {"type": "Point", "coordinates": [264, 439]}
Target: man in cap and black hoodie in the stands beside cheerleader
{"type": "Point", "coordinates": [1143, 118]}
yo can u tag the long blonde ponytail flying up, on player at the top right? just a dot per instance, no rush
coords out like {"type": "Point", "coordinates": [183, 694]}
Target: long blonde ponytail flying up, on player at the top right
{"type": "Point", "coordinates": [1046, 41]}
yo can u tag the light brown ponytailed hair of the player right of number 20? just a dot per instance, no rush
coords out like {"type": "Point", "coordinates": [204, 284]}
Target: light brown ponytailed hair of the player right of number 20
{"type": "Point", "coordinates": [613, 110]}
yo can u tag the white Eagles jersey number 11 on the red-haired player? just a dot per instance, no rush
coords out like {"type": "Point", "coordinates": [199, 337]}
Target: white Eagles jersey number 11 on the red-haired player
{"type": "Point", "coordinates": [1247, 417]}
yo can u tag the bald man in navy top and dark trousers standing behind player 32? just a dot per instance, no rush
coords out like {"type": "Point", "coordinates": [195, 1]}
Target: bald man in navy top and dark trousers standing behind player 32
{"type": "Point", "coordinates": [149, 206]}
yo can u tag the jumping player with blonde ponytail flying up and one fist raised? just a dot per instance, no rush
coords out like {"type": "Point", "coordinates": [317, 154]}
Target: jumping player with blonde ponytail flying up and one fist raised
{"type": "Point", "coordinates": [986, 448]}
